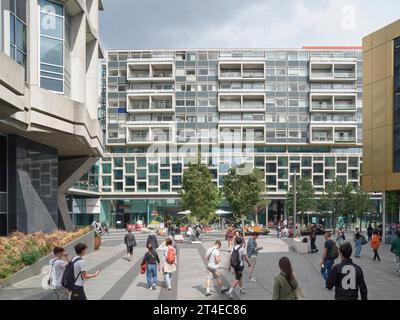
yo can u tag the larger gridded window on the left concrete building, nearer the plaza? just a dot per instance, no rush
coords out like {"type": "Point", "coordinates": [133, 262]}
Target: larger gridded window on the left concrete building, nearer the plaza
{"type": "Point", "coordinates": [55, 47]}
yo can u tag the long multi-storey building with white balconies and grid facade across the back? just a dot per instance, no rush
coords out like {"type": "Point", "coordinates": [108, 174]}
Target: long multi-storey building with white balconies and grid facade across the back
{"type": "Point", "coordinates": [282, 111]}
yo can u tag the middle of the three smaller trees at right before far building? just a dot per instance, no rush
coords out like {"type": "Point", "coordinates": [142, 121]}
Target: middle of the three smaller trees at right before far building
{"type": "Point", "coordinates": [334, 198]}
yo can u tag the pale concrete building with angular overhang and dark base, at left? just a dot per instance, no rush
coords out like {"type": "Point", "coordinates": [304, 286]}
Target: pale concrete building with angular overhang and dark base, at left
{"type": "Point", "coordinates": [49, 131]}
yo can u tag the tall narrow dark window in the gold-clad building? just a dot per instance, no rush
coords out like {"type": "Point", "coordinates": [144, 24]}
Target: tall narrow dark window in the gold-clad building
{"type": "Point", "coordinates": [397, 105]}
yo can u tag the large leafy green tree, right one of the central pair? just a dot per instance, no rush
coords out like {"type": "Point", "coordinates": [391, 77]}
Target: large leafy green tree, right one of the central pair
{"type": "Point", "coordinates": [243, 192]}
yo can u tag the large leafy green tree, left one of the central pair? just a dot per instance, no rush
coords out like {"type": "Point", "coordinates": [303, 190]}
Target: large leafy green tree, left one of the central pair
{"type": "Point", "coordinates": [199, 194]}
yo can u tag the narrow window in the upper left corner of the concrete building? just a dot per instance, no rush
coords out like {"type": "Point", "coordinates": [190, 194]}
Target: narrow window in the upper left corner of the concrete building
{"type": "Point", "coordinates": [18, 38]}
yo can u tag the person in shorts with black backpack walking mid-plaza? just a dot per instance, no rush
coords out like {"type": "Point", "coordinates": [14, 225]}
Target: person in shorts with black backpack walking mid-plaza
{"type": "Point", "coordinates": [238, 257]}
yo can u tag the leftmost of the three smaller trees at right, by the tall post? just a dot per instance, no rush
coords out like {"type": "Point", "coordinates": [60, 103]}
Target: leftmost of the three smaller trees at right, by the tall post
{"type": "Point", "coordinates": [305, 200]}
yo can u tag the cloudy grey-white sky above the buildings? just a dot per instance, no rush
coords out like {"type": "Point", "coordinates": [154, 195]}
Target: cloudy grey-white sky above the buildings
{"type": "Point", "coordinates": [152, 24]}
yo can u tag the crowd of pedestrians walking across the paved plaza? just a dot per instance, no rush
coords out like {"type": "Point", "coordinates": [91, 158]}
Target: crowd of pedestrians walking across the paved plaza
{"type": "Point", "coordinates": [67, 277]}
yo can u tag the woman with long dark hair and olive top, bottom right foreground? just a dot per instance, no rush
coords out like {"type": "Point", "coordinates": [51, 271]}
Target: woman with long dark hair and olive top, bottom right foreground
{"type": "Point", "coordinates": [285, 283]}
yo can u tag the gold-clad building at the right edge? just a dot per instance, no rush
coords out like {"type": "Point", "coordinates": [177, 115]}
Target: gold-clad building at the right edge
{"type": "Point", "coordinates": [381, 88]}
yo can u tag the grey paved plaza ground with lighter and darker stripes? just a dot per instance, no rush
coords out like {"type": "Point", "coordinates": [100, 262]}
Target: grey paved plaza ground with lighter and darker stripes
{"type": "Point", "coordinates": [121, 280]}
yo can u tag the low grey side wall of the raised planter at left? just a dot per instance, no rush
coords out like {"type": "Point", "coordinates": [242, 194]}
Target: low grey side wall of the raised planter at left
{"type": "Point", "coordinates": [36, 268]}
